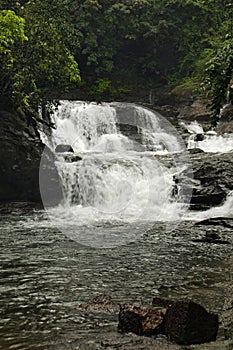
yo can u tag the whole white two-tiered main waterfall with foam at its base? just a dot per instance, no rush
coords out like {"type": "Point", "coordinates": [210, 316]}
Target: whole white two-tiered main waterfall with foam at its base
{"type": "Point", "coordinates": [118, 179]}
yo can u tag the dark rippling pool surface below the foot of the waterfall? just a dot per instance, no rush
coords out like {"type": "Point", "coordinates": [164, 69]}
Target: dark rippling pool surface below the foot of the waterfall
{"type": "Point", "coordinates": [45, 276]}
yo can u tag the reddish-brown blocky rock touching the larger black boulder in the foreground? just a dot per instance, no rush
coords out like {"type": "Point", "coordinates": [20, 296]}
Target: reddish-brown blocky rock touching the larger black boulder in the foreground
{"type": "Point", "coordinates": [140, 320]}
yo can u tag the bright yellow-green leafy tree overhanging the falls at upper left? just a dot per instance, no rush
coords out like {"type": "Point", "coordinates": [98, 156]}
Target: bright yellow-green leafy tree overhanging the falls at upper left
{"type": "Point", "coordinates": [36, 58]}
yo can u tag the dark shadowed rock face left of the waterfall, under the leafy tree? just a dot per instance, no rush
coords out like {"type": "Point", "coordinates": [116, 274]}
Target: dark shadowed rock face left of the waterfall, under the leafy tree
{"type": "Point", "coordinates": [20, 154]}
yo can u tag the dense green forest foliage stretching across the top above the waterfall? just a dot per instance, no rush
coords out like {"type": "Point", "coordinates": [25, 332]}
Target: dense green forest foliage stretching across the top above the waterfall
{"type": "Point", "coordinates": [119, 47]}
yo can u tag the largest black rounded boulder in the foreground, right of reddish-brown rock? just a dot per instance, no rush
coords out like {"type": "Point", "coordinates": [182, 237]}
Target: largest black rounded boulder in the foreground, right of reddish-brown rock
{"type": "Point", "coordinates": [189, 323]}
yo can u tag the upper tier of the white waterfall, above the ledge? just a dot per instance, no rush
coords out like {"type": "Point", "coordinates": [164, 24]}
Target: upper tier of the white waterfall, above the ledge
{"type": "Point", "coordinates": [112, 127]}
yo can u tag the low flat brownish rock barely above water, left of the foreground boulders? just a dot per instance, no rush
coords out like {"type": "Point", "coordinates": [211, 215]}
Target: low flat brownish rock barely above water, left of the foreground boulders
{"type": "Point", "coordinates": [102, 303]}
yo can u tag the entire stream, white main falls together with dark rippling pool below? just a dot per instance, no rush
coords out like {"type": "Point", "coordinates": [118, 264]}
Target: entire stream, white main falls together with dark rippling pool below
{"type": "Point", "coordinates": [123, 228]}
